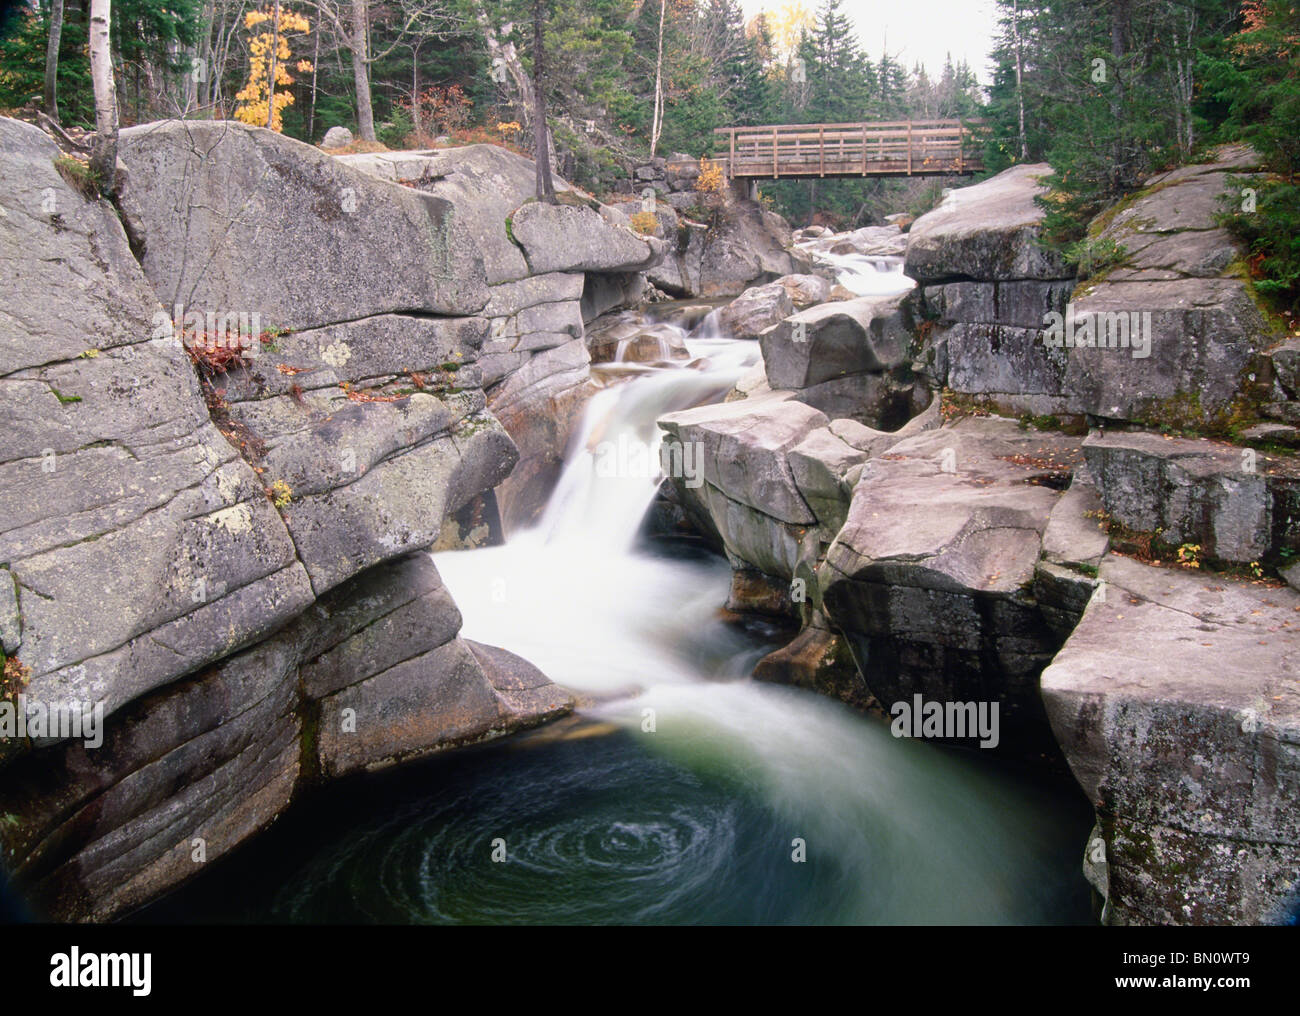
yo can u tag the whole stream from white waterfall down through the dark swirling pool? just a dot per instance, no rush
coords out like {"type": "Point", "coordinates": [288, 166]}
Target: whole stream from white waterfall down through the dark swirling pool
{"type": "Point", "coordinates": [686, 791]}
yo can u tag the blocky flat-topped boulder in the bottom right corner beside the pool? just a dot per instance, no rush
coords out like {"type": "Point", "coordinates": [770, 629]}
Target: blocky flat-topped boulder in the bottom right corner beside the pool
{"type": "Point", "coordinates": [1176, 702]}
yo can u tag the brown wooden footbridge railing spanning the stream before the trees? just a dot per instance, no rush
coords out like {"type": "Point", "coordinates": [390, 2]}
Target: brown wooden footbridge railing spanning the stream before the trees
{"type": "Point", "coordinates": [920, 147]}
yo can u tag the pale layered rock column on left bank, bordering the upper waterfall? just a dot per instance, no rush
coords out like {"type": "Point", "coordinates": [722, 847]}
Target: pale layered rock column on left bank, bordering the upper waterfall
{"type": "Point", "coordinates": [551, 270]}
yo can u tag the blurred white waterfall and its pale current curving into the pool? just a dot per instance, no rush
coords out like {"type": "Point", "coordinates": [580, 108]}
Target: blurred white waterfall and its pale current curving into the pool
{"type": "Point", "coordinates": [916, 833]}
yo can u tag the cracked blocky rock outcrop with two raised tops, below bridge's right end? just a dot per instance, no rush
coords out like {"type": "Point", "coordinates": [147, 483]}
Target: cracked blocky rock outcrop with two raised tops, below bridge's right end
{"type": "Point", "coordinates": [1169, 333]}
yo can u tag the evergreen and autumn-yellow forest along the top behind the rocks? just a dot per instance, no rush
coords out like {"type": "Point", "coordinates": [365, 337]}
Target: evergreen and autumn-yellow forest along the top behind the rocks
{"type": "Point", "coordinates": [1107, 93]}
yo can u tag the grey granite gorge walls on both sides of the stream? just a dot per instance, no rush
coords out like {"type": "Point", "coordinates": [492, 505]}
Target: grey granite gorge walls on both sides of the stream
{"type": "Point", "coordinates": [935, 500]}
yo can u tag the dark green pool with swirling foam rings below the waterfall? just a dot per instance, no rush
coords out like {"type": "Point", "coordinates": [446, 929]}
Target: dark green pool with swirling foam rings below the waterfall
{"type": "Point", "coordinates": [603, 830]}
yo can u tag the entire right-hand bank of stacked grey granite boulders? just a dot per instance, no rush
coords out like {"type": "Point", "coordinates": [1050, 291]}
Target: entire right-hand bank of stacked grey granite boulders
{"type": "Point", "coordinates": [1000, 542]}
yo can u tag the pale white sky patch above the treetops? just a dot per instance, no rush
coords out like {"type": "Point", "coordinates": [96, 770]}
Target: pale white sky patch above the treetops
{"type": "Point", "coordinates": [918, 31]}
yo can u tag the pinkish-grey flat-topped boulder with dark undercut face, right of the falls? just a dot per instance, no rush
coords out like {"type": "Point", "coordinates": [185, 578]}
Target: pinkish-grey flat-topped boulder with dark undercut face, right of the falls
{"type": "Point", "coordinates": [931, 576]}
